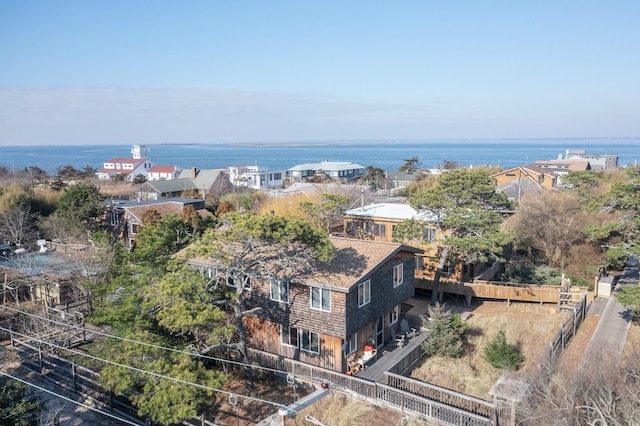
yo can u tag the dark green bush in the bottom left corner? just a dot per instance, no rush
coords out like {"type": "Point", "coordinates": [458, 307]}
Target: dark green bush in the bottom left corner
{"type": "Point", "coordinates": [18, 406]}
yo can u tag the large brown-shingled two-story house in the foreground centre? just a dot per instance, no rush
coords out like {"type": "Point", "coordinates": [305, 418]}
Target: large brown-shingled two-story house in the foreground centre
{"type": "Point", "coordinates": [332, 310]}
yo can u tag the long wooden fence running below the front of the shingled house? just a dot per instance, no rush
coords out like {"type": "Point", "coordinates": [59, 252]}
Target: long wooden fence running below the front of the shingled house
{"type": "Point", "coordinates": [384, 394]}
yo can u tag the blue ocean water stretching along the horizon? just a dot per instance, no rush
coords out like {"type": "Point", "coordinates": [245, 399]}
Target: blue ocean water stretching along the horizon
{"type": "Point", "coordinates": [385, 155]}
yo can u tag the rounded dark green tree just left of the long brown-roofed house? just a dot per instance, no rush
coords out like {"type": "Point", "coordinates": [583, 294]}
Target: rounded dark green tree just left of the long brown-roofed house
{"type": "Point", "coordinates": [81, 205]}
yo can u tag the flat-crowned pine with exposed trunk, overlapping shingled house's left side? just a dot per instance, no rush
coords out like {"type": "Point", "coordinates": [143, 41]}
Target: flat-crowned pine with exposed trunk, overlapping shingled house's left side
{"type": "Point", "coordinates": [249, 246]}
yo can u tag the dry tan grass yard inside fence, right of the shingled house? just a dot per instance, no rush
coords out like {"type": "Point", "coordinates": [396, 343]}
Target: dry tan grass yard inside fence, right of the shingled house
{"type": "Point", "coordinates": [528, 326]}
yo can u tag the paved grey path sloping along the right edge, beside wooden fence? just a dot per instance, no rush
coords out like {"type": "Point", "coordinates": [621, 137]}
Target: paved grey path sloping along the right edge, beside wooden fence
{"type": "Point", "coordinates": [610, 336]}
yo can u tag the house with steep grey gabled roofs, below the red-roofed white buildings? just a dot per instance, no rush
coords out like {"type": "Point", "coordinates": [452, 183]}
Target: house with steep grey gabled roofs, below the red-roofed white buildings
{"type": "Point", "coordinates": [191, 182]}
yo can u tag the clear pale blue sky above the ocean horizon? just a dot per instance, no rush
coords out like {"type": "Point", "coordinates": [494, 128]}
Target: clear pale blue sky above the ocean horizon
{"type": "Point", "coordinates": [121, 71]}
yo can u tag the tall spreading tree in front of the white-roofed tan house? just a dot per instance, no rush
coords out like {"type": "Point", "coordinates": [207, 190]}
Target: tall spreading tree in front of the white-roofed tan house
{"type": "Point", "coordinates": [465, 209]}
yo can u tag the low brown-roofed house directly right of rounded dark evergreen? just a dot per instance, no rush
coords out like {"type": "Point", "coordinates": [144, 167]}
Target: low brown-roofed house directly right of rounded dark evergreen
{"type": "Point", "coordinates": [126, 216]}
